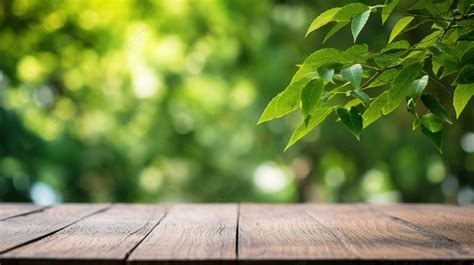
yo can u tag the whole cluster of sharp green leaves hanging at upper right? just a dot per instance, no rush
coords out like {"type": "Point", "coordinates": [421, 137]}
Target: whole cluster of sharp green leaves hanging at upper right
{"type": "Point", "coordinates": [341, 80]}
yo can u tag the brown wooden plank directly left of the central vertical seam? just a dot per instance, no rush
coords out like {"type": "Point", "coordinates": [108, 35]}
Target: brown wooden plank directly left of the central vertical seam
{"type": "Point", "coordinates": [198, 233]}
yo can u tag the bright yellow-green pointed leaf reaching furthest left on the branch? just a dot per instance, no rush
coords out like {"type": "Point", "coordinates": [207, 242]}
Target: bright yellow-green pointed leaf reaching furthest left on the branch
{"type": "Point", "coordinates": [285, 102]}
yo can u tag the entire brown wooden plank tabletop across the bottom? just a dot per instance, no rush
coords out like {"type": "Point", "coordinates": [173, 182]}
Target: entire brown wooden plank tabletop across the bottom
{"type": "Point", "coordinates": [297, 234]}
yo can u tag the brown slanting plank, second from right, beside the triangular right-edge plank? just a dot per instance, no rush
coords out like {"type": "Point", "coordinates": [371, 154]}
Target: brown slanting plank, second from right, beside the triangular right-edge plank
{"type": "Point", "coordinates": [370, 235]}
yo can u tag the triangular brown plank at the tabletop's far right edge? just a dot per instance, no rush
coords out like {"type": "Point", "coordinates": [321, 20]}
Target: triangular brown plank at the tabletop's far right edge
{"type": "Point", "coordinates": [454, 223]}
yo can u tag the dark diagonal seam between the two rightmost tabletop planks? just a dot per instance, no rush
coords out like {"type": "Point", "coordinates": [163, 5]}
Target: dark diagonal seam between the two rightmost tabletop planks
{"type": "Point", "coordinates": [444, 241]}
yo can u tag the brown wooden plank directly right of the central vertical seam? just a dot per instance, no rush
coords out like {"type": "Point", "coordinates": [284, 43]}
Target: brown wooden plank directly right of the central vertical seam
{"type": "Point", "coordinates": [285, 232]}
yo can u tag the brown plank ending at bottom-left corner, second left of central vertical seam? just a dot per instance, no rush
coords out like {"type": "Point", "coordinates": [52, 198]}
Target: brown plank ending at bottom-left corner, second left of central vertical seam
{"type": "Point", "coordinates": [104, 238]}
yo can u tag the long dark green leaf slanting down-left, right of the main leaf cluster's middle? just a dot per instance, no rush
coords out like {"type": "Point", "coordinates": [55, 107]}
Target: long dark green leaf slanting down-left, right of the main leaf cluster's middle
{"type": "Point", "coordinates": [400, 85]}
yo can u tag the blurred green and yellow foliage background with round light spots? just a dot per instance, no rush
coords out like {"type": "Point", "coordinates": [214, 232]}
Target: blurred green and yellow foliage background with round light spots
{"type": "Point", "coordinates": [157, 101]}
